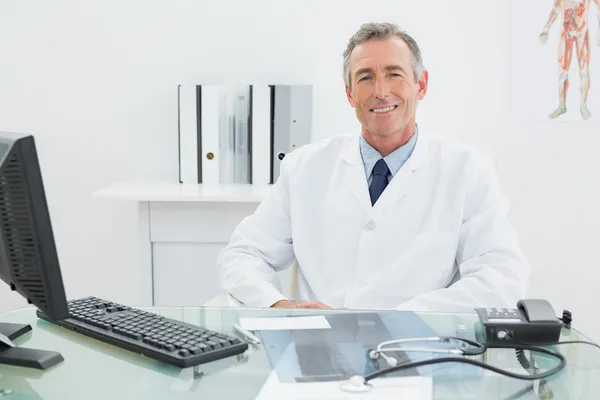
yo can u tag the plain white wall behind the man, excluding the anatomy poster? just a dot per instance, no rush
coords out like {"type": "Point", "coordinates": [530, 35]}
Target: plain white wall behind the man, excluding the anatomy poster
{"type": "Point", "coordinates": [96, 83]}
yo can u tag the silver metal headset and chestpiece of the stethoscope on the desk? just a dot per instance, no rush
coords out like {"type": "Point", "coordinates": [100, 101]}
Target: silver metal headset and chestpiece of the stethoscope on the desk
{"type": "Point", "coordinates": [466, 347]}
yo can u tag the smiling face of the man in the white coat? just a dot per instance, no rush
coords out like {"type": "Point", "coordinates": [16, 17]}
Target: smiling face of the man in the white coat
{"type": "Point", "coordinates": [382, 89]}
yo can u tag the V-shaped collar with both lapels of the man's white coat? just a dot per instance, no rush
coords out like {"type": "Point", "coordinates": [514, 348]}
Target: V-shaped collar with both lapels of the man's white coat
{"type": "Point", "coordinates": [399, 186]}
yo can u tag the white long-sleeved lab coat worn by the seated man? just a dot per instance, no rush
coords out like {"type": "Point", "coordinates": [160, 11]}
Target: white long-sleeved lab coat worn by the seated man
{"type": "Point", "coordinates": [437, 239]}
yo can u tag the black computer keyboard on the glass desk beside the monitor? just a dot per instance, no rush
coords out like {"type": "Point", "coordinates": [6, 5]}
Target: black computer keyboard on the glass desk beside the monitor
{"type": "Point", "coordinates": [157, 337]}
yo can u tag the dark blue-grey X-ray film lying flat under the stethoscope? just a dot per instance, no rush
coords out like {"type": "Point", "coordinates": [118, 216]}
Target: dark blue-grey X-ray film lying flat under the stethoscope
{"type": "Point", "coordinates": [312, 355]}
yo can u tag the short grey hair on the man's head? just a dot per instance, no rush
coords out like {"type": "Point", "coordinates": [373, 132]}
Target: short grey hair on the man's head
{"type": "Point", "coordinates": [382, 31]}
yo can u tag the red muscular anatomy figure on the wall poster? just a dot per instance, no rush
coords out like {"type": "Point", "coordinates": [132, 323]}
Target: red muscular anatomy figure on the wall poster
{"type": "Point", "coordinates": [574, 33]}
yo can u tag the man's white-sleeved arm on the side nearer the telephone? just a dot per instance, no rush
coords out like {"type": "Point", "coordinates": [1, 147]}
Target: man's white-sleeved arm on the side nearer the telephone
{"type": "Point", "coordinates": [493, 270]}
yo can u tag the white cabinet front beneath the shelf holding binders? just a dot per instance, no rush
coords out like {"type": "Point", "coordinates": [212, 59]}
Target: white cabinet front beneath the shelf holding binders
{"type": "Point", "coordinates": [186, 239]}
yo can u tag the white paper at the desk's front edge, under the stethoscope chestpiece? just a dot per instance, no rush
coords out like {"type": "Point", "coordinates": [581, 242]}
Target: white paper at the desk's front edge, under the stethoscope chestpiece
{"type": "Point", "coordinates": [405, 388]}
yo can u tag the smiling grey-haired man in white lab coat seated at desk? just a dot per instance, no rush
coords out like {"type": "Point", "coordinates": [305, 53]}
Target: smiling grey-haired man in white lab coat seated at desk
{"type": "Point", "coordinates": [395, 218]}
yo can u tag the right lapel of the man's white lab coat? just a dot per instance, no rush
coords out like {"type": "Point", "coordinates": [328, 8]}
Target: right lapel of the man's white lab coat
{"type": "Point", "coordinates": [403, 181]}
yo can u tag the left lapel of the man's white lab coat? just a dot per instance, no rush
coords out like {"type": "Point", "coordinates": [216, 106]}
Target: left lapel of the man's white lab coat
{"type": "Point", "coordinates": [353, 173]}
